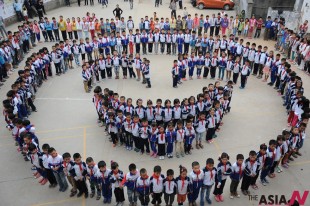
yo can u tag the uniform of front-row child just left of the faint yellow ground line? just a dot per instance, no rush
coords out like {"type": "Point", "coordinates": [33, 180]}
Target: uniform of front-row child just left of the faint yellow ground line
{"type": "Point", "coordinates": [79, 172]}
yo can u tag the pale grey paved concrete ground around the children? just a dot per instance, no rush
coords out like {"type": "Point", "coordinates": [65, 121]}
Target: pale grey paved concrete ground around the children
{"type": "Point", "coordinates": [66, 119]}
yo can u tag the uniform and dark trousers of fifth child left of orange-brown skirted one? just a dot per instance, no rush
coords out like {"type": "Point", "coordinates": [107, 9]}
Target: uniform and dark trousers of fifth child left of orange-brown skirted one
{"type": "Point", "coordinates": [116, 182]}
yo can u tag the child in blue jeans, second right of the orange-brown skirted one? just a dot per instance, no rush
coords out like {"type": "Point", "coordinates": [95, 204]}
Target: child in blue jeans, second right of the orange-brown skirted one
{"type": "Point", "coordinates": [208, 181]}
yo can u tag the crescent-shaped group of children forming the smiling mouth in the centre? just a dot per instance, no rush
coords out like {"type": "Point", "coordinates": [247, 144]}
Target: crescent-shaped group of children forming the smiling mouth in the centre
{"type": "Point", "coordinates": [148, 129]}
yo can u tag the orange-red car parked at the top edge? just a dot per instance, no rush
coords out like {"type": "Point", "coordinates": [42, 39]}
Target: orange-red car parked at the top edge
{"type": "Point", "coordinates": [213, 4]}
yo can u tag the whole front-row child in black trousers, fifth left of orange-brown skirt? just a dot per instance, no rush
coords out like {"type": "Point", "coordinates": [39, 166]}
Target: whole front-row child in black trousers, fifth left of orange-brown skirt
{"type": "Point", "coordinates": [116, 177]}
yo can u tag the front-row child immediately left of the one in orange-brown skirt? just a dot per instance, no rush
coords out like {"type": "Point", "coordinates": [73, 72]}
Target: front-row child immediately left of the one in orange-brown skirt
{"type": "Point", "coordinates": [169, 188]}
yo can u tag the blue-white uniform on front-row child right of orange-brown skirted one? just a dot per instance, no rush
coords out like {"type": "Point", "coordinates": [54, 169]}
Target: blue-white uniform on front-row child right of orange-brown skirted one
{"type": "Point", "coordinates": [196, 184]}
